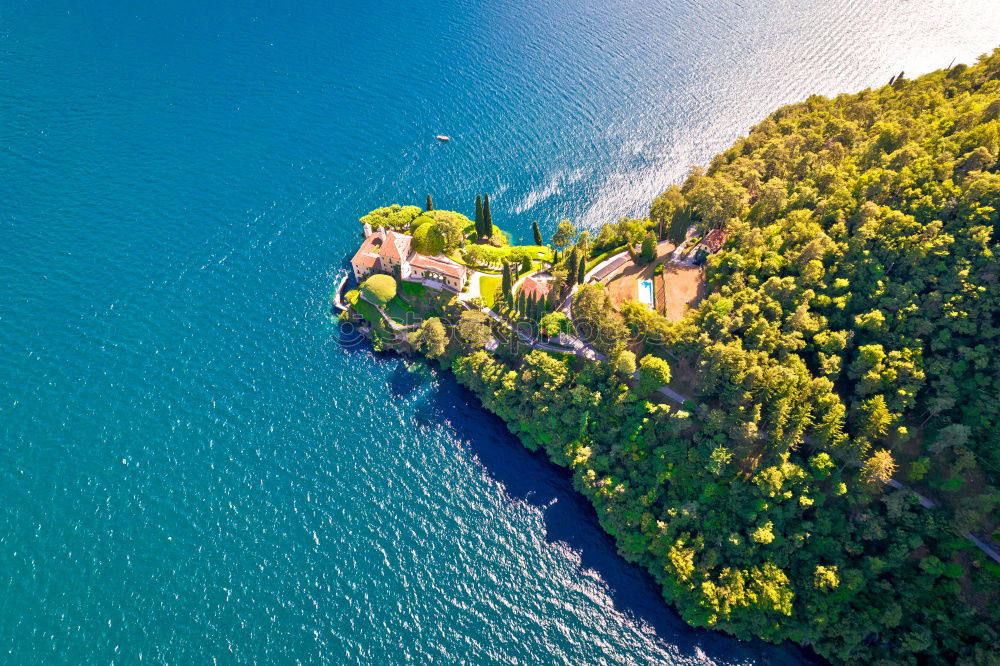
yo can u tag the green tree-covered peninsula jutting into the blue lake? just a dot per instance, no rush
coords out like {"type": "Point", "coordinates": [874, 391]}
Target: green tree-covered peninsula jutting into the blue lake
{"type": "Point", "coordinates": [810, 452]}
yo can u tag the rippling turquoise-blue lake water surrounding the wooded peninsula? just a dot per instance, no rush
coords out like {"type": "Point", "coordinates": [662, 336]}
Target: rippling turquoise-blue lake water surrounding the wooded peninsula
{"type": "Point", "coordinates": [194, 467]}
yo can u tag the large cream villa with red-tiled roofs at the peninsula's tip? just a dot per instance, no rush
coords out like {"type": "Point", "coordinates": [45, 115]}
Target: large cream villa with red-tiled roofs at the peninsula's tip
{"type": "Point", "coordinates": [385, 251]}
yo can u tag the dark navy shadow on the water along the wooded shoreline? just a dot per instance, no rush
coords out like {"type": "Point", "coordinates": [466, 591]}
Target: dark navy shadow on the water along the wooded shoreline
{"type": "Point", "coordinates": [569, 517]}
